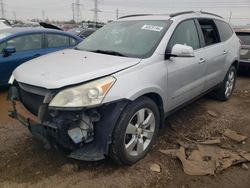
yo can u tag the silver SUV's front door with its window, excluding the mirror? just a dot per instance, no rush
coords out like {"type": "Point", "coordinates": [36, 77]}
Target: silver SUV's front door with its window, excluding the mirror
{"type": "Point", "coordinates": [186, 75]}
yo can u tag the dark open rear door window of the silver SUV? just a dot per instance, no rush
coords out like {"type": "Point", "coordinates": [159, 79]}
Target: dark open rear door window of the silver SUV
{"type": "Point", "coordinates": [210, 32]}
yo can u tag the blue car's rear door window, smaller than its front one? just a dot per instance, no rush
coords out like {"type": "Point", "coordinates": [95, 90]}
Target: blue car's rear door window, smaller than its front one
{"type": "Point", "coordinates": [55, 40]}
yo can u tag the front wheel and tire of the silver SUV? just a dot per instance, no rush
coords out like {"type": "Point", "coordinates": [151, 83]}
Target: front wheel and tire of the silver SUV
{"type": "Point", "coordinates": [135, 132]}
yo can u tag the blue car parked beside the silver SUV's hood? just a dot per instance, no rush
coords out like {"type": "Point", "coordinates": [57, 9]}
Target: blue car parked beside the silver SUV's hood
{"type": "Point", "coordinates": [18, 45]}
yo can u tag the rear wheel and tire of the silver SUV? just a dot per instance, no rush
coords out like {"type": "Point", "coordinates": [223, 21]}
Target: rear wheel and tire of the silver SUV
{"type": "Point", "coordinates": [225, 91]}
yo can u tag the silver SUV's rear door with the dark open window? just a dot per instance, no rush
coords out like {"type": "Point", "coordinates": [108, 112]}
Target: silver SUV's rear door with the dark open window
{"type": "Point", "coordinates": [214, 52]}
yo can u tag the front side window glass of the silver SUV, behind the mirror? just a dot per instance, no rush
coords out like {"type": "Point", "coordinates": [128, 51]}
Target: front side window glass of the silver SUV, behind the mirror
{"type": "Point", "coordinates": [185, 33]}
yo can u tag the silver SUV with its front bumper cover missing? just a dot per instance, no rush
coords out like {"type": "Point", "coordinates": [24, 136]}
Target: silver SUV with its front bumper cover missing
{"type": "Point", "coordinates": [110, 95]}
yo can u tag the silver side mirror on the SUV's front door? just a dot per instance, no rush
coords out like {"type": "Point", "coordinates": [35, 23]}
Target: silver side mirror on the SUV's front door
{"type": "Point", "coordinates": [180, 50]}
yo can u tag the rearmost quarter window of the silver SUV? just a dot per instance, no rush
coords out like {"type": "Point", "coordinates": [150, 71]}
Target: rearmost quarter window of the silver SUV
{"type": "Point", "coordinates": [225, 30]}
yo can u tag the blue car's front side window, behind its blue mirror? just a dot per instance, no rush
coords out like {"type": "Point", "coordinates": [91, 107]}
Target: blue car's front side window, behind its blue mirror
{"type": "Point", "coordinates": [26, 42]}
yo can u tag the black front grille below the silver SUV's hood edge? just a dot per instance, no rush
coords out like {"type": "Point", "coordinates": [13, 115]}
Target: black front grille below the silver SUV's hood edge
{"type": "Point", "coordinates": [31, 97]}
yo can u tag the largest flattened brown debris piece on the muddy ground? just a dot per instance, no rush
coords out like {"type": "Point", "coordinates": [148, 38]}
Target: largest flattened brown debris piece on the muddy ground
{"type": "Point", "coordinates": [207, 159]}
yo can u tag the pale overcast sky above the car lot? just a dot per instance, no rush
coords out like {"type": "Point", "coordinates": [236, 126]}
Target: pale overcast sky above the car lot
{"type": "Point", "coordinates": [62, 9]}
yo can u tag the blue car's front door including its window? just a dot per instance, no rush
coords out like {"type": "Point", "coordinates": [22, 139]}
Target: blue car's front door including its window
{"type": "Point", "coordinates": [27, 47]}
